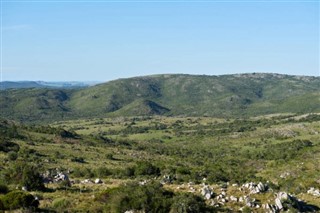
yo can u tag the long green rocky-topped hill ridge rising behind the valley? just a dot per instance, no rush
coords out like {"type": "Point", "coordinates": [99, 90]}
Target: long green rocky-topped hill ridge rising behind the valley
{"type": "Point", "coordinates": [173, 95]}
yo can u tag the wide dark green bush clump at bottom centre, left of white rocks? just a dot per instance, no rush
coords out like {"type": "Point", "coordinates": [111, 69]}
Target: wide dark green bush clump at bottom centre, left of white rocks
{"type": "Point", "coordinates": [150, 198]}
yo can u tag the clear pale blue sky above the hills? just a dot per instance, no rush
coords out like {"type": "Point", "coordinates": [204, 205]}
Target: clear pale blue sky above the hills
{"type": "Point", "coordinates": [105, 40]}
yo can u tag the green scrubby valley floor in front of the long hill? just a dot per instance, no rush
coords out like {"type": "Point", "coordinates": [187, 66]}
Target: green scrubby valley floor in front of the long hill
{"type": "Point", "coordinates": [132, 155]}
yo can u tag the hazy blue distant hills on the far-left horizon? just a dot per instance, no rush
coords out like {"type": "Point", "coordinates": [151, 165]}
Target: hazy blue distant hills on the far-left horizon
{"type": "Point", "coordinates": [42, 84]}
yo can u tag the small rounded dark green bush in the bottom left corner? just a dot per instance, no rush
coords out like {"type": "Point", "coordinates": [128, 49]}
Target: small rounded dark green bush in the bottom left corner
{"type": "Point", "coordinates": [17, 199]}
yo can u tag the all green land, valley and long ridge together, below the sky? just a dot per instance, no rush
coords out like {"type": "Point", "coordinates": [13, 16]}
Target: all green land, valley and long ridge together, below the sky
{"type": "Point", "coordinates": [82, 150]}
